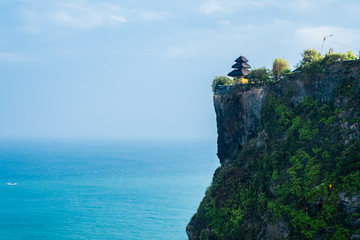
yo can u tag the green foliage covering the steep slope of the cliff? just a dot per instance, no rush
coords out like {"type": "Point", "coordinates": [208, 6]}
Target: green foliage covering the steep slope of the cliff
{"type": "Point", "coordinates": [281, 179]}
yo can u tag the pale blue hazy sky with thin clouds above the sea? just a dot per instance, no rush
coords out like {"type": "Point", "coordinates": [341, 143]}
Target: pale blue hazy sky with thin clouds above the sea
{"type": "Point", "coordinates": [136, 69]}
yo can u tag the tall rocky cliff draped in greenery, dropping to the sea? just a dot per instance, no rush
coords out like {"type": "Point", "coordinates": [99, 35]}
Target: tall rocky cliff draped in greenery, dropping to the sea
{"type": "Point", "coordinates": [290, 159]}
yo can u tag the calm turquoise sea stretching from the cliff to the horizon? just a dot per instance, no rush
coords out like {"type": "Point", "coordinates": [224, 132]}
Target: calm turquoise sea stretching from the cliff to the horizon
{"type": "Point", "coordinates": [107, 190]}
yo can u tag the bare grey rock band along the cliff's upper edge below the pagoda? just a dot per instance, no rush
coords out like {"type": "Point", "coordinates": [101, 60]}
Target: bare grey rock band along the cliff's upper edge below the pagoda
{"type": "Point", "coordinates": [238, 107]}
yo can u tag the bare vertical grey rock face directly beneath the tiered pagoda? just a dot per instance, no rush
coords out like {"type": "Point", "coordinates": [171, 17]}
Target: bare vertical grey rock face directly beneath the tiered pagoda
{"type": "Point", "coordinates": [237, 116]}
